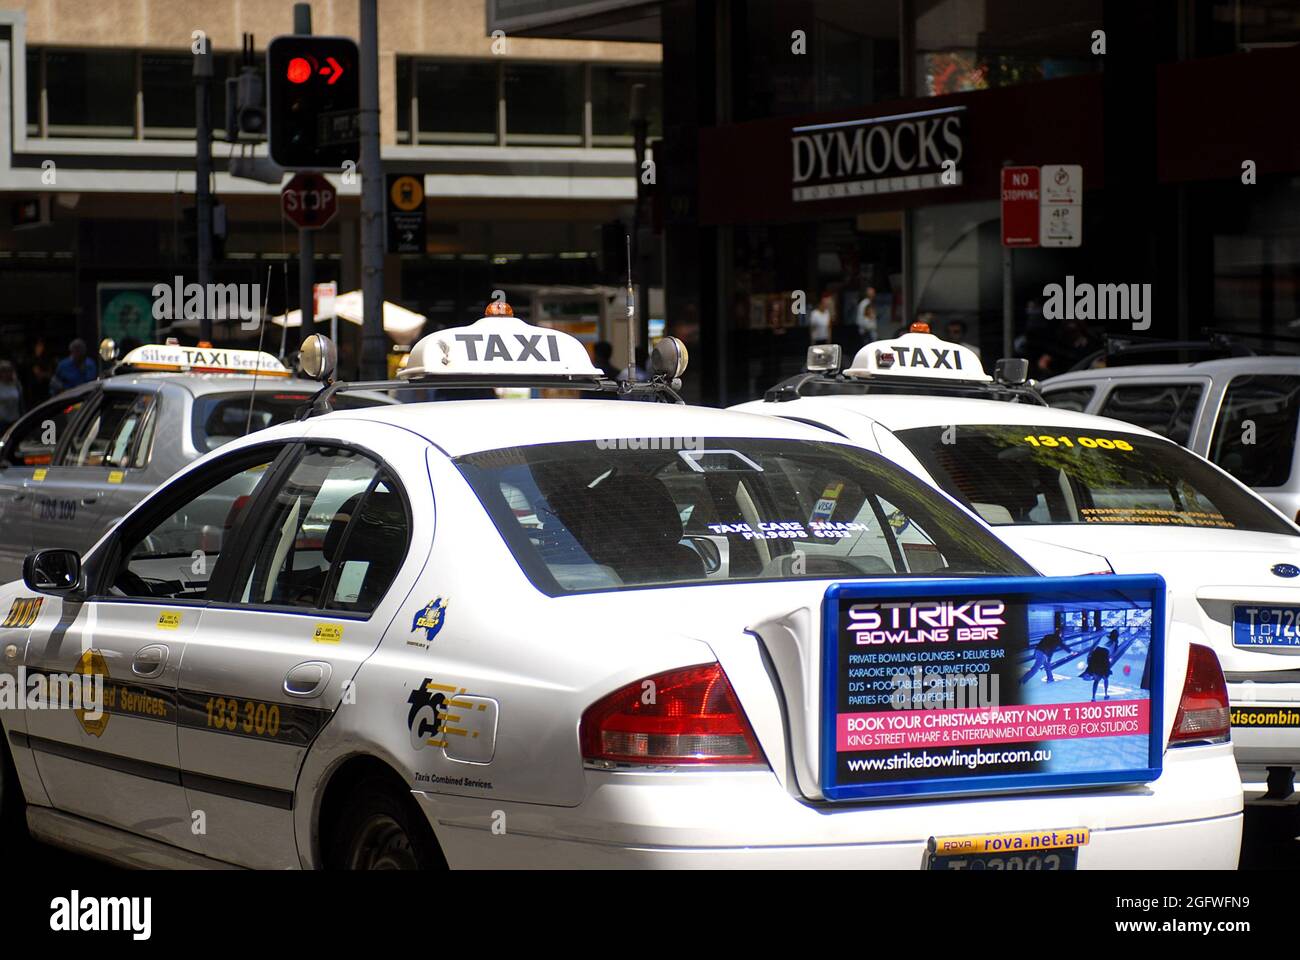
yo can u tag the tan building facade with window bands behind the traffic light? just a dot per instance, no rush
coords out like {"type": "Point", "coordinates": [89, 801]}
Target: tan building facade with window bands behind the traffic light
{"type": "Point", "coordinates": [523, 148]}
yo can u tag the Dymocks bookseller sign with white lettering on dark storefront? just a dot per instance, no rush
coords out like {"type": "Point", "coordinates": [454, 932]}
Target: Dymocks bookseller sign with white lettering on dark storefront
{"type": "Point", "coordinates": [881, 155]}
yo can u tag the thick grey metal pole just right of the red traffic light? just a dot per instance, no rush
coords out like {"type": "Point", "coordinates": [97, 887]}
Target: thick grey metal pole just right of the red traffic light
{"type": "Point", "coordinates": [374, 343]}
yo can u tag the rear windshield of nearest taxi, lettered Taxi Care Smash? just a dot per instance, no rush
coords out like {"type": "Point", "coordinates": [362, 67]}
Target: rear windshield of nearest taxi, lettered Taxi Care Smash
{"type": "Point", "coordinates": [593, 517]}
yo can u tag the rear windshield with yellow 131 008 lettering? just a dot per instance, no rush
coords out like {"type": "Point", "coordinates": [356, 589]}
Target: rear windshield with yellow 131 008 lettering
{"type": "Point", "coordinates": [1029, 475]}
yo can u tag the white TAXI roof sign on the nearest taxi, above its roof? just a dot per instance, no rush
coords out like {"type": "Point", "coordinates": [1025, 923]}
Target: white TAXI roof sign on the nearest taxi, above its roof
{"type": "Point", "coordinates": [499, 347]}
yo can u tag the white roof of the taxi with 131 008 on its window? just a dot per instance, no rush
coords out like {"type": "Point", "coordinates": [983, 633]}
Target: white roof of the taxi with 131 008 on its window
{"type": "Point", "coordinates": [905, 413]}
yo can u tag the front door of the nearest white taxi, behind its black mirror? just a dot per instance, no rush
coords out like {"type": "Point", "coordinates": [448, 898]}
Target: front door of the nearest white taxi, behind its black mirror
{"type": "Point", "coordinates": [148, 589]}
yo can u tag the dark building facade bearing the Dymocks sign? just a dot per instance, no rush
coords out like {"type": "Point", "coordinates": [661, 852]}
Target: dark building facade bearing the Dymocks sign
{"type": "Point", "coordinates": [805, 144]}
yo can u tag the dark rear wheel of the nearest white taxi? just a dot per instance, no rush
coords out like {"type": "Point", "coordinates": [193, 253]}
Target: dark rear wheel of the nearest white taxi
{"type": "Point", "coordinates": [383, 829]}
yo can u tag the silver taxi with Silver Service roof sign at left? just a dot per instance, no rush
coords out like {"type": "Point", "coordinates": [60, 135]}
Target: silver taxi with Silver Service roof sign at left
{"type": "Point", "coordinates": [73, 466]}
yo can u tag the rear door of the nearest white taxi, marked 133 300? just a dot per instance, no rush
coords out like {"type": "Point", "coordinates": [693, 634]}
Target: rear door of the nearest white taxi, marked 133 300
{"type": "Point", "coordinates": [328, 570]}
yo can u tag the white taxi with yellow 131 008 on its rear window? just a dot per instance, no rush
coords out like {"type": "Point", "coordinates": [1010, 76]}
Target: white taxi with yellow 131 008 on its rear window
{"type": "Point", "coordinates": [1043, 477]}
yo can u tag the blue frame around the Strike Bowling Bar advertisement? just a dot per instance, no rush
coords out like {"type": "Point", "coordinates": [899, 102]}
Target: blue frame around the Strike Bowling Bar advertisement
{"type": "Point", "coordinates": [1021, 590]}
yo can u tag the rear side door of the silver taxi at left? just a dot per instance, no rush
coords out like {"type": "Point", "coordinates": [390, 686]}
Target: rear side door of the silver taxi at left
{"type": "Point", "coordinates": [70, 505]}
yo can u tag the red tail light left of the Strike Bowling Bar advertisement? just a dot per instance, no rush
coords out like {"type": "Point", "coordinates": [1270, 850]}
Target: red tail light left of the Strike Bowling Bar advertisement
{"type": "Point", "coordinates": [688, 716]}
